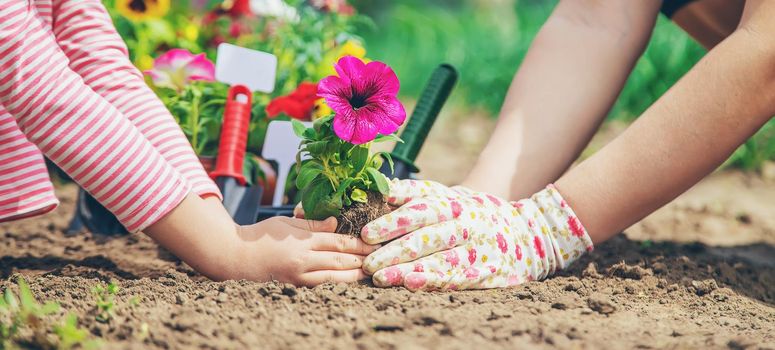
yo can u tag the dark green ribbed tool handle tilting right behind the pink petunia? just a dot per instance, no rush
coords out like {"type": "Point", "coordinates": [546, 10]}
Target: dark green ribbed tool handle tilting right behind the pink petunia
{"type": "Point", "coordinates": [420, 123]}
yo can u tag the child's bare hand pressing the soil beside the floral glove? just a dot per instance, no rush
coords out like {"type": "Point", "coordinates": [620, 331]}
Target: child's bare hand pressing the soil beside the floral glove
{"type": "Point", "coordinates": [301, 252]}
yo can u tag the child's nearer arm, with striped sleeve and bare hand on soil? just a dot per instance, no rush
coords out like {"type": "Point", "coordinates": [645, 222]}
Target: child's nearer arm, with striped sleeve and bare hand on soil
{"type": "Point", "coordinates": [101, 149]}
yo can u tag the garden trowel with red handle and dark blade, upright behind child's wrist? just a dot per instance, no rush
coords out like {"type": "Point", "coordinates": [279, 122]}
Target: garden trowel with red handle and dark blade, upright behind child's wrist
{"type": "Point", "coordinates": [241, 201]}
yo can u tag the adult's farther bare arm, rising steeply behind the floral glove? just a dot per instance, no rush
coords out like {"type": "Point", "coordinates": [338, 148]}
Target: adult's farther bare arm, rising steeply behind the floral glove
{"type": "Point", "coordinates": [569, 79]}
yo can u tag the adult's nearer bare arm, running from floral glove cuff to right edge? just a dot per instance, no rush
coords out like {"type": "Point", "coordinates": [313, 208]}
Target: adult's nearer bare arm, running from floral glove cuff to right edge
{"type": "Point", "coordinates": [686, 134]}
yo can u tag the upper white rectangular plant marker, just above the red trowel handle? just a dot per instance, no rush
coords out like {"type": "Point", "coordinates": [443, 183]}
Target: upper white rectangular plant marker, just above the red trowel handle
{"type": "Point", "coordinates": [238, 65]}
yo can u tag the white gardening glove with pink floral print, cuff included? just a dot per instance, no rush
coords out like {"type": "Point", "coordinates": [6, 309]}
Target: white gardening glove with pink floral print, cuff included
{"type": "Point", "coordinates": [456, 238]}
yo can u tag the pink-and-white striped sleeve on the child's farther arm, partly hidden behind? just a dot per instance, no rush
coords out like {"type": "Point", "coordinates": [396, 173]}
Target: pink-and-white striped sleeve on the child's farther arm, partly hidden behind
{"type": "Point", "coordinates": [85, 33]}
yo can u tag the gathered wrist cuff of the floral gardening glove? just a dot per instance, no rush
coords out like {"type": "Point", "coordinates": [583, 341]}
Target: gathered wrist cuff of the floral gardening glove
{"type": "Point", "coordinates": [568, 237]}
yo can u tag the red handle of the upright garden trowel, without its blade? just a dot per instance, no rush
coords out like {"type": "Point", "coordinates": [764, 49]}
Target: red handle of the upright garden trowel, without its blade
{"type": "Point", "coordinates": [234, 135]}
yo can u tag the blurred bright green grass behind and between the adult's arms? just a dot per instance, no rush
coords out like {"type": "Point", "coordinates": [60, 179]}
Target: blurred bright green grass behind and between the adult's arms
{"type": "Point", "coordinates": [487, 40]}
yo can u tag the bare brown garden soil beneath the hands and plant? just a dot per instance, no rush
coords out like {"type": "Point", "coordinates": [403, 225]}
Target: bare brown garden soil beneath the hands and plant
{"type": "Point", "coordinates": [663, 295]}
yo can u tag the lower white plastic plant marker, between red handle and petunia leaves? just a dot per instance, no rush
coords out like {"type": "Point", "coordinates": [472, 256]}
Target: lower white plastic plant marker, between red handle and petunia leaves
{"type": "Point", "coordinates": [281, 145]}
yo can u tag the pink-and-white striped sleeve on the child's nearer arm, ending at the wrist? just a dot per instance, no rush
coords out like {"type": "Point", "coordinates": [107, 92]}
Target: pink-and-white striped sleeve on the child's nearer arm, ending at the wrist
{"type": "Point", "coordinates": [76, 128]}
